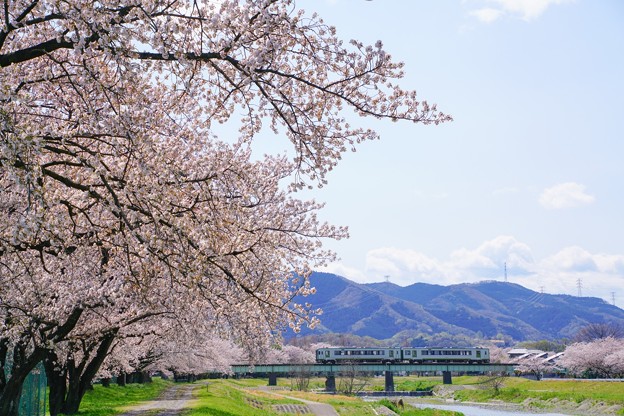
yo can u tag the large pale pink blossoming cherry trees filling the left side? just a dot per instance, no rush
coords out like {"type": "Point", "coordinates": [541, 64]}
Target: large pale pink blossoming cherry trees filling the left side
{"type": "Point", "coordinates": [130, 234]}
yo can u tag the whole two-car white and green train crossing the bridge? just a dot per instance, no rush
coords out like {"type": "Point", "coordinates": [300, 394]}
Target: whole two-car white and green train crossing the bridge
{"type": "Point", "coordinates": [412, 355]}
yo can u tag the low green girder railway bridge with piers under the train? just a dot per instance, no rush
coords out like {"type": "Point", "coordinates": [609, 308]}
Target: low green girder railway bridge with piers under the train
{"type": "Point", "coordinates": [331, 370]}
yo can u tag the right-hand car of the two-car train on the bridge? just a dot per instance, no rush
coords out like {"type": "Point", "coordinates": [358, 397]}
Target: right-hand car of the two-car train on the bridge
{"type": "Point", "coordinates": [446, 355]}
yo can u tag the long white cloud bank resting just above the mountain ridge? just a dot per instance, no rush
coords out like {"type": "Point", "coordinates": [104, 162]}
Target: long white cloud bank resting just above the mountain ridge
{"type": "Point", "coordinates": [600, 274]}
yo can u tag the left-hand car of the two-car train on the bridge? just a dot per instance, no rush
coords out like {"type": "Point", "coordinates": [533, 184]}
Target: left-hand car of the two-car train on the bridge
{"type": "Point", "coordinates": [358, 354]}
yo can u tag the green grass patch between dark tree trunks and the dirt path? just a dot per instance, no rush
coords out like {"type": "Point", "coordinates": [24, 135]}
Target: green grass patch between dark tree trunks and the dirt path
{"type": "Point", "coordinates": [109, 401]}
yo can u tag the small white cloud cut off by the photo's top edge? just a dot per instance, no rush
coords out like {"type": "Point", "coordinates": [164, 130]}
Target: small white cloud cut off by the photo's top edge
{"type": "Point", "coordinates": [525, 9]}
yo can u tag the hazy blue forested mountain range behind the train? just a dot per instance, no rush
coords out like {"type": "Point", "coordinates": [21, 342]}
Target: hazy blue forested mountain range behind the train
{"type": "Point", "coordinates": [484, 310]}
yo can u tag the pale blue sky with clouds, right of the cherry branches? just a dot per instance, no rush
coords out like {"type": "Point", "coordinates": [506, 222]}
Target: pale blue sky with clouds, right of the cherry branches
{"type": "Point", "coordinates": [530, 173]}
